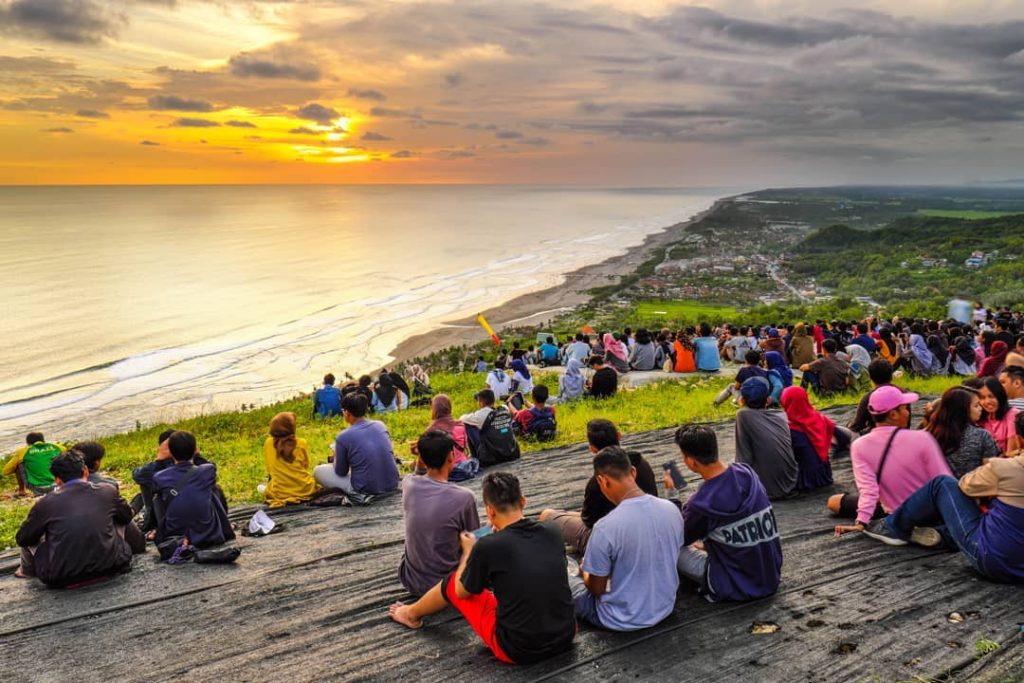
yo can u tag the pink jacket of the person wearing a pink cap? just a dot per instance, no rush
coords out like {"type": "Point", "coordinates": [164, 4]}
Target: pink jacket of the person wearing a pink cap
{"type": "Point", "coordinates": [914, 460]}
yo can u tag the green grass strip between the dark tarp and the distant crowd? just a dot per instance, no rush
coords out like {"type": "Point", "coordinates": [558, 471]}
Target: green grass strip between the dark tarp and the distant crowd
{"type": "Point", "coordinates": [235, 441]}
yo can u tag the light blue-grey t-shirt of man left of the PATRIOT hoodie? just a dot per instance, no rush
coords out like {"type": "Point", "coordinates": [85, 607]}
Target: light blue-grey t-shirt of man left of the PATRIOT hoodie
{"type": "Point", "coordinates": [642, 566]}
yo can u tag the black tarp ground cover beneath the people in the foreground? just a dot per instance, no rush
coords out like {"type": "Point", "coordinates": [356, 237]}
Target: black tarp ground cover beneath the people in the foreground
{"type": "Point", "coordinates": [310, 605]}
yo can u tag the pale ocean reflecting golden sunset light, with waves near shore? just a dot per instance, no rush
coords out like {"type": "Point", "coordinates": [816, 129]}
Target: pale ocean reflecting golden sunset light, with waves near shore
{"type": "Point", "coordinates": [138, 305]}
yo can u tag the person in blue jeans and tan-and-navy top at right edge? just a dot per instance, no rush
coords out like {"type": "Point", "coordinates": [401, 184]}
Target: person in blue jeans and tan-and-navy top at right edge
{"type": "Point", "coordinates": [993, 541]}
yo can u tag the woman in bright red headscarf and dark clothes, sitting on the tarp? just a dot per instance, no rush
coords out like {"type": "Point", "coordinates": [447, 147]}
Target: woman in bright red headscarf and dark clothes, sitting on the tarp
{"type": "Point", "coordinates": [813, 437]}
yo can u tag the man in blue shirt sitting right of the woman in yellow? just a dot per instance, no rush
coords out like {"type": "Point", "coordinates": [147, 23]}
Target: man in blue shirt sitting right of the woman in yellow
{"type": "Point", "coordinates": [364, 459]}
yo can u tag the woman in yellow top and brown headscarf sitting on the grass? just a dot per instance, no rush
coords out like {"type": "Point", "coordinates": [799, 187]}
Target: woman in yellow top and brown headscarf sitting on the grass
{"type": "Point", "coordinates": [287, 459]}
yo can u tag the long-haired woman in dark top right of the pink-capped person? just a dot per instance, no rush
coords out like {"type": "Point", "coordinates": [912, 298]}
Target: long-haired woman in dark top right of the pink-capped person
{"type": "Point", "coordinates": [954, 426]}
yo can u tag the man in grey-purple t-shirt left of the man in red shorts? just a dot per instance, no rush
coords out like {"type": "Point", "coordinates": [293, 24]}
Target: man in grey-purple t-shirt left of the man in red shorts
{"type": "Point", "coordinates": [437, 513]}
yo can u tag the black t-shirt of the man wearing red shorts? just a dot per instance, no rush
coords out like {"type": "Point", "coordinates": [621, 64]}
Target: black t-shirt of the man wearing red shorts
{"type": "Point", "coordinates": [525, 566]}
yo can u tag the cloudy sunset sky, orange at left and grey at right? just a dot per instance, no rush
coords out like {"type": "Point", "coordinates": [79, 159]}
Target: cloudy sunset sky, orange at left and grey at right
{"type": "Point", "coordinates": [651, 93]}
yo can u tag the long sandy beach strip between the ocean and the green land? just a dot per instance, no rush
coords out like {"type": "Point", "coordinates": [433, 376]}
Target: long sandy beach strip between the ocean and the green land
{"type": "Point", "coordinates": [538, 308]}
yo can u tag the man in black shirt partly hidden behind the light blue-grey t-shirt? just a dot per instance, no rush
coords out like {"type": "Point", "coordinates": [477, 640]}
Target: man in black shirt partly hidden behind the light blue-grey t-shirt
{"type": "Point", "coordinates": [577, 527]}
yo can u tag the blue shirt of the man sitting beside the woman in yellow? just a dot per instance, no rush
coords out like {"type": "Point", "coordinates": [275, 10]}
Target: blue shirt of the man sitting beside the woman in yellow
{"type": "Point", "coordinates": [365, 450]}
